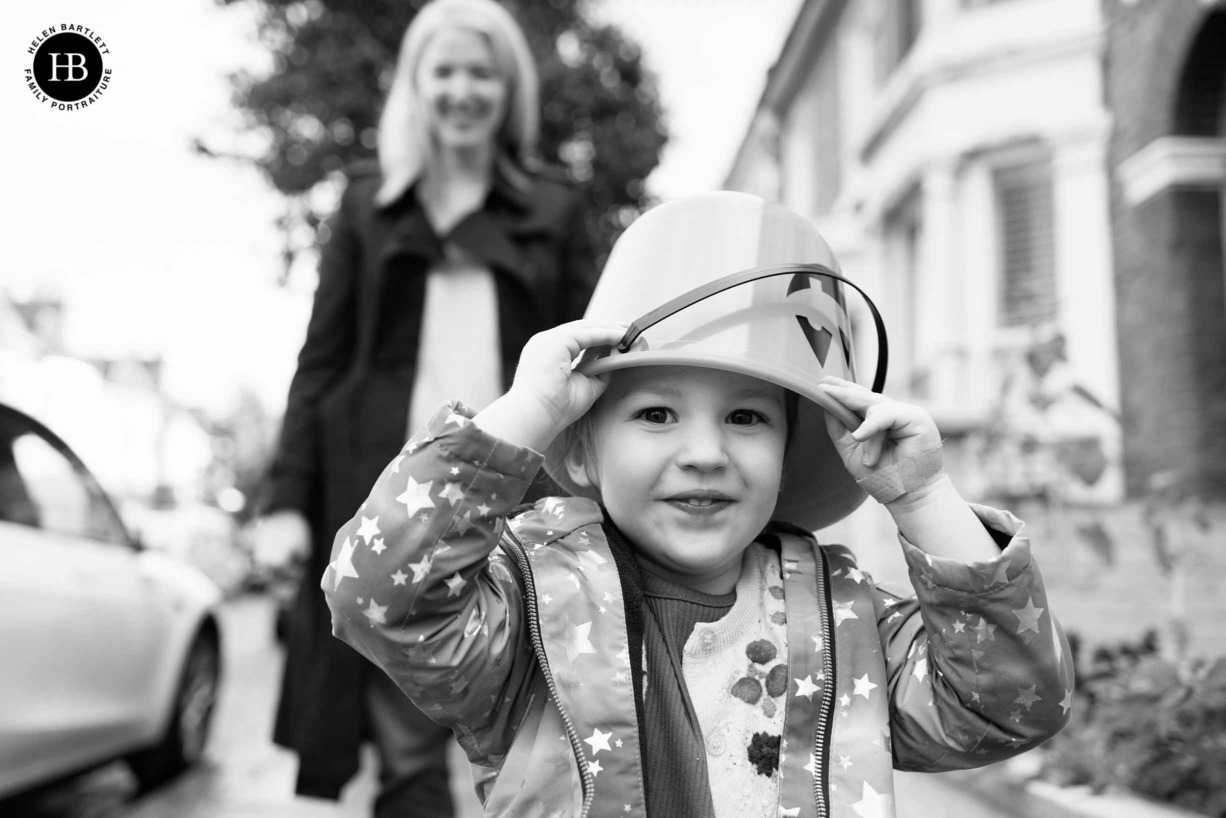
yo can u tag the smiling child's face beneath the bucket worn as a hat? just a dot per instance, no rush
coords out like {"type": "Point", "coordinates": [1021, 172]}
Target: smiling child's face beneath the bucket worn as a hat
{"type": "Point", "coordinates": [688, 462]}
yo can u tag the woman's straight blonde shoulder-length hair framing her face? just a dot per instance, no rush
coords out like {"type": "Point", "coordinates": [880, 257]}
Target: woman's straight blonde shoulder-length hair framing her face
{"type": "Point", "coordinates": [405, 144]}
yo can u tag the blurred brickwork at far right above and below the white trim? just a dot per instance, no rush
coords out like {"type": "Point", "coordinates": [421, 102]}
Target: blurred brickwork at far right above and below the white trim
{"type": "Point", "coordinates": [1171, 307]}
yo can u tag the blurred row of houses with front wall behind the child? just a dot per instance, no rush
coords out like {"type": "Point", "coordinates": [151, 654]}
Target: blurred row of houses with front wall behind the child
{"type": "Point", "coordinates": [1032, 189]}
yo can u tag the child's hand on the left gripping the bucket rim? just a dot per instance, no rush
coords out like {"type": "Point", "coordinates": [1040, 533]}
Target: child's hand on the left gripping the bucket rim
{"type": "Point", "coordinates": [547, 394]}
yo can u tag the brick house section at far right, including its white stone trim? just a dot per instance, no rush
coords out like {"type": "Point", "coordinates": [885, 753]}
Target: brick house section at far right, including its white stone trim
{"type": "Point", "coordinates": [1164, 67]}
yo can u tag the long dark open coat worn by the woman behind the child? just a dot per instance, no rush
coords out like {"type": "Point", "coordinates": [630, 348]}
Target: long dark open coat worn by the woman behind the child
{"type": "Point", "coordinates": [349, 404]}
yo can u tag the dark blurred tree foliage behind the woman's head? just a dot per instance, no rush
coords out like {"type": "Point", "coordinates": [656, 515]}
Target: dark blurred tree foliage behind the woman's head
{"type": "Point", "coordinates": [318, 110]}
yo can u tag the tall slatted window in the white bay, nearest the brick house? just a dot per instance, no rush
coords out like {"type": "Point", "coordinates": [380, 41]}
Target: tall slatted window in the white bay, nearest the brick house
{"type": "Point", "coordinates": [1027, 242]}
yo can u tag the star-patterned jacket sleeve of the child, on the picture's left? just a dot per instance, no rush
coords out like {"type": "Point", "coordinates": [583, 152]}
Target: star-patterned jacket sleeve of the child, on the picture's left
{"type": "Point", "coordinates": [419, 587]}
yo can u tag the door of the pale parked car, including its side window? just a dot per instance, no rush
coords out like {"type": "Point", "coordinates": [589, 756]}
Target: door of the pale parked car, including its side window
{"type": "Point", "coordinates": [75, 617]}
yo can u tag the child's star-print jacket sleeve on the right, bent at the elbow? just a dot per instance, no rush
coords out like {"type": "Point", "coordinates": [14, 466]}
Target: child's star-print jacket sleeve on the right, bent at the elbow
{"type": "Point", "coordinates": [979, 668]}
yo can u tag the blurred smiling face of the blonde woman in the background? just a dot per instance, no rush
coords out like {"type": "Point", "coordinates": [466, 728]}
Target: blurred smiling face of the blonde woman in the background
{"type": "Point", "coordinates": [463, 89]}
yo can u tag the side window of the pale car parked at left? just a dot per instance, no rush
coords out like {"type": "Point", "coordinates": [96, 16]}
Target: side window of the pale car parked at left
{"type": "Point", "coordinates": [42, 487]}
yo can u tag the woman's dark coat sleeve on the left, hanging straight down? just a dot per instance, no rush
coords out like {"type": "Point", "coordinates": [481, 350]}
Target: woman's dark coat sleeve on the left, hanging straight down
{"type": "Point", "coordinates": [326, 354]}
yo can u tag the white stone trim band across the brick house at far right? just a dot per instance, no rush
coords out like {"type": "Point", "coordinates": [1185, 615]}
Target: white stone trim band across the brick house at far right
{"type": "Point", "coordinates": [1173, 162]}
